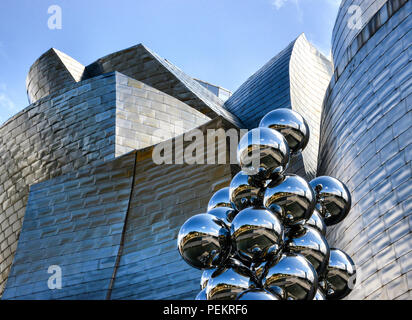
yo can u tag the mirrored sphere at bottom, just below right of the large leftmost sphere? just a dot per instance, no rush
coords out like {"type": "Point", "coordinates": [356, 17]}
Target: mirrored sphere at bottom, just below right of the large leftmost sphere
{"type": "Point", "coordinates": [227, 284]}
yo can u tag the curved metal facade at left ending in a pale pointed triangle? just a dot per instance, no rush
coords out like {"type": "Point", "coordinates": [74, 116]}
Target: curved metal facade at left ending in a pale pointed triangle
{"type": "Point", "coordinates": [85, 123]}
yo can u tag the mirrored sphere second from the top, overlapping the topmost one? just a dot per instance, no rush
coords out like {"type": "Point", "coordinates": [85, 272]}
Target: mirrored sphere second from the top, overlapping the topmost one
{"type": "Point", "coordinates": [262, 151]}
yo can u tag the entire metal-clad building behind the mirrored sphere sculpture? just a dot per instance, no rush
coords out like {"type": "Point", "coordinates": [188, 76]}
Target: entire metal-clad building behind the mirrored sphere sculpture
{"type": "Point", "coordinates": [79, 188]}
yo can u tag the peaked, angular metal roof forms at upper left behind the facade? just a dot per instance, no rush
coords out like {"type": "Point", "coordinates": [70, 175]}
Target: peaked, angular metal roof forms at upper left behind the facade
{"type": "Point", "coordinates": [54, 70]}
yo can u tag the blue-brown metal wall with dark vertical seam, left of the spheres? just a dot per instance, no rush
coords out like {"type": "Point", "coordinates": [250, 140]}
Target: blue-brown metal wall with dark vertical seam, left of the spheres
{"type": "Point", "coordinates": [112, 229]}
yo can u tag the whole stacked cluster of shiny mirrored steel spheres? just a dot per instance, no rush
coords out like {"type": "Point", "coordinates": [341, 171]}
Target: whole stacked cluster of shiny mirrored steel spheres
{"type": "Point", "coordinates": [263, 238]}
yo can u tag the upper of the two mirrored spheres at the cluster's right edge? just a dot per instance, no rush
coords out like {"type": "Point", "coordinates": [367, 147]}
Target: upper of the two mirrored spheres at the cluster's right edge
{"type": "Point", "coordinates": [334, 199]}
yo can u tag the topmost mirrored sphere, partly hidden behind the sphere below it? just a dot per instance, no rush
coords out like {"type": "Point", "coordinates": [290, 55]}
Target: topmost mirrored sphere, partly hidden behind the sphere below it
{"type": "Point", "coordinates": [291, 125]}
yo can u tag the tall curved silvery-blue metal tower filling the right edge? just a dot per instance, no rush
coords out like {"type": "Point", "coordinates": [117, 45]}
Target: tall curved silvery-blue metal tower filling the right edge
{"type": "Point", "coordinates": [366, 142]}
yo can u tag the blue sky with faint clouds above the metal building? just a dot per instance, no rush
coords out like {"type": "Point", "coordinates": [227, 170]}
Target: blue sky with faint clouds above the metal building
{"type": "Point", "coordinates": [219, 41]}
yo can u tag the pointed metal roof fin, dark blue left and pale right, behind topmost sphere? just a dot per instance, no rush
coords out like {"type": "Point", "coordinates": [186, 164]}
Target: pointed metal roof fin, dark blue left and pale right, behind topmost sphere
{"type": "Point", "coordinates": [296, 78]}
